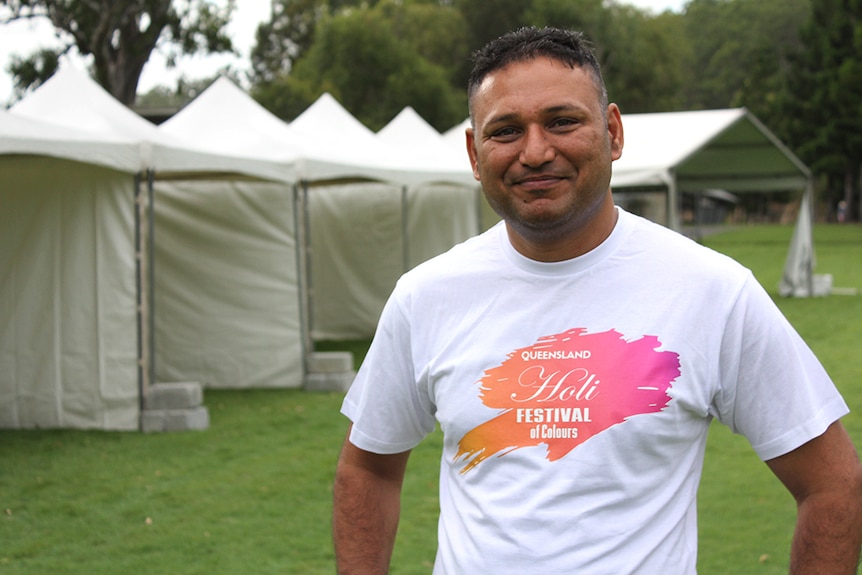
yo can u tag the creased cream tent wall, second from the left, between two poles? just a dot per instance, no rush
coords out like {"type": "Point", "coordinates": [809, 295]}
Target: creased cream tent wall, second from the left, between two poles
{"type": "Point", "coordinates": [227, 310]}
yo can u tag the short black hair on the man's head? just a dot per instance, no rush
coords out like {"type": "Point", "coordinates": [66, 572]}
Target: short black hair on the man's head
{"type": "Point", "coordinates": [567, 46]}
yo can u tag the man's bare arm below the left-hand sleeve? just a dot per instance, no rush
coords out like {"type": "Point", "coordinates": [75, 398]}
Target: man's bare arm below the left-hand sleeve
{"type": "Point", "coordinates": [366, 507]}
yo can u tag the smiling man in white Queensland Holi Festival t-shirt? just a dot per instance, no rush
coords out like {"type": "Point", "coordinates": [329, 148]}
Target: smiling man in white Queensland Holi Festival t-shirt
{"type": "Point", "coordinates": [574, 356]}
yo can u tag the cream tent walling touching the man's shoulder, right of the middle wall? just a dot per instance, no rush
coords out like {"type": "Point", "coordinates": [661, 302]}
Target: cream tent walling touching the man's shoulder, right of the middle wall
{"type": "Point", "coordinates": [363, 236]}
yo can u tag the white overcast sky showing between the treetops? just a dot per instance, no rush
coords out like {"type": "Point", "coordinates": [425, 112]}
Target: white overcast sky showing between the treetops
{"type": "Point", "coordinates": [22, 38]}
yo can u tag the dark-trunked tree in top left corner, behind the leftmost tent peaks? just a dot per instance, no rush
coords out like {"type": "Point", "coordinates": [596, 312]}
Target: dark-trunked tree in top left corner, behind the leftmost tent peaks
{"type": "Point", "coordinates": [120, 36]}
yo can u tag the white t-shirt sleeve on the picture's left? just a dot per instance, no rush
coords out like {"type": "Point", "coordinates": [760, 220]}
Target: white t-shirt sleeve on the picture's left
{"type": "Point", "coordinates": [390, 410]}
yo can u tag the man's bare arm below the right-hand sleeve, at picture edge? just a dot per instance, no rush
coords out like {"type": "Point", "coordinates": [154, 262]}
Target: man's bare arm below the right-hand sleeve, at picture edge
{"type": "Point", "coordinates": [825, 477]}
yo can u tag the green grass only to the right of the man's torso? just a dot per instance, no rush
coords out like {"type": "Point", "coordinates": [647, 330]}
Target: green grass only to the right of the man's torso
{"type": "Point", "coordinates": [746, 518]}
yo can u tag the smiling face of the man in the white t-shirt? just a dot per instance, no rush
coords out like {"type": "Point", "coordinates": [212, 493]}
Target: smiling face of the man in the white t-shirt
{"type": "Point", "coordinates": [542, 148]}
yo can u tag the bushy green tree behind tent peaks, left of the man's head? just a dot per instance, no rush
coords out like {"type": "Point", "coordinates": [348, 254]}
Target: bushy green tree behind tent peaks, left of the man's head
{"type": "Point", "coordinates": [360, 58]}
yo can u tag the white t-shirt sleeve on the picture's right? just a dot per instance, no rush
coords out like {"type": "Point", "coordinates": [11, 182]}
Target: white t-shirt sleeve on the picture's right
{"type": "Point", "coordinates": [774, 391]}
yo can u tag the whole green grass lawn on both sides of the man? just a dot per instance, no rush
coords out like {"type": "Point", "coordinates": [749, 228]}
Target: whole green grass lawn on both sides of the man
{"type": "Point", "coordinates": [252, 493]}
